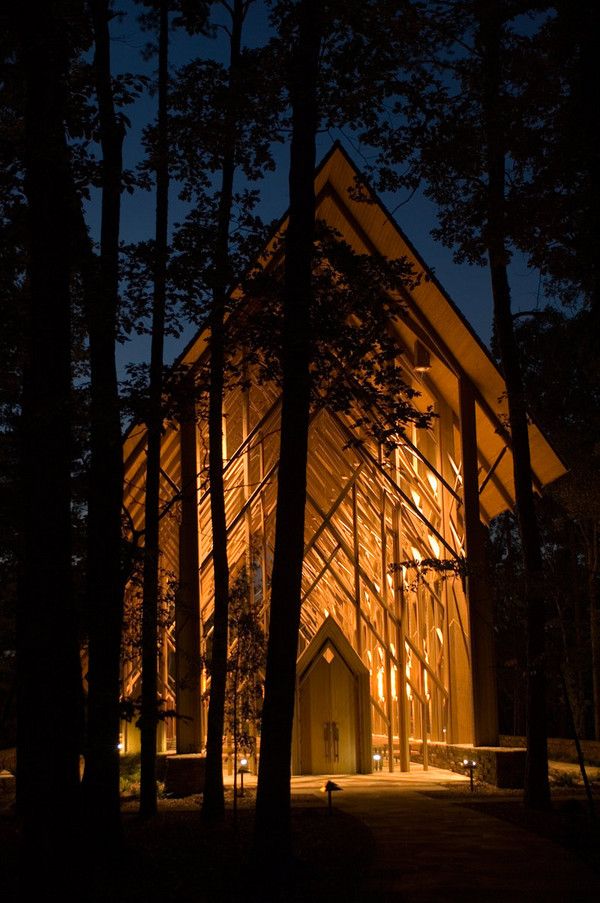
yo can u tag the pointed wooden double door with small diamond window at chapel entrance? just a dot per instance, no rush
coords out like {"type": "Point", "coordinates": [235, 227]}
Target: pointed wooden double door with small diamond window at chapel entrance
{"type": "Point", "coordinates": [328, 716]}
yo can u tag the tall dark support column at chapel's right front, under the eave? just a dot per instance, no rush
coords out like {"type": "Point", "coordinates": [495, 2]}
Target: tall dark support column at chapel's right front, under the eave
{"type": "Point", "coordinates": [485, 708]}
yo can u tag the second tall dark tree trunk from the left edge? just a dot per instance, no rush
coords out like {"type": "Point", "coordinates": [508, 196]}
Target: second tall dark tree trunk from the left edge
{"type": "Point", "coordinates": [105, 589]}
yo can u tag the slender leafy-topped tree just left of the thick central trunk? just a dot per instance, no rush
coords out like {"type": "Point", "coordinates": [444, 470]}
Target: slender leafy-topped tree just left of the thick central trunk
{"type": "Point", "coordinates": [236, 121]}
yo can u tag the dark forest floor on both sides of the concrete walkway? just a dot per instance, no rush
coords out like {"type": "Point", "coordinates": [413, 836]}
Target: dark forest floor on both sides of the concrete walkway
{"type": "Point", "coordinates": [175, 857]}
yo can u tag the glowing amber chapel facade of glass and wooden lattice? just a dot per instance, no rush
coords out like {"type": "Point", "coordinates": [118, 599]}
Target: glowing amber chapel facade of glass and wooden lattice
{"type": "Point", "coordinates": [389, 649]}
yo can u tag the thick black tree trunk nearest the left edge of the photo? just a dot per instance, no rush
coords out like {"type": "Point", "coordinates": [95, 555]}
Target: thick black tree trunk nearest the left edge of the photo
{"type": "Point", "coordinates": [49, 694]}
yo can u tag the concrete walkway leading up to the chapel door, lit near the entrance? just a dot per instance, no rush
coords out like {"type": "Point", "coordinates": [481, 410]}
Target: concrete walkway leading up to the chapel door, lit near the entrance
{"type": "Point", "coordinates": [431, 849]}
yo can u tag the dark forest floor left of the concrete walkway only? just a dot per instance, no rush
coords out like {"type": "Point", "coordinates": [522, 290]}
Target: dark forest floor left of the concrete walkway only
{"type": "Point", "coordinates": [175, 857]}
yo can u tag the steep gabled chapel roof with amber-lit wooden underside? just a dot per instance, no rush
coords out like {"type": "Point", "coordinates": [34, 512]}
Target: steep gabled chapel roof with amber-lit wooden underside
{"type": "Point", "coordinates": [432, 318]}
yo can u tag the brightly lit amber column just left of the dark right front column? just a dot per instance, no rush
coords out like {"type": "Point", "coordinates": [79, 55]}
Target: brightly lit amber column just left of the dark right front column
{"type": "Point", "coordinates": [458, 645]}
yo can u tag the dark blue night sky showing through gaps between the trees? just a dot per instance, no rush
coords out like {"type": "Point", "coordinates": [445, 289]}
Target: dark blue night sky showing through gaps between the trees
{"type": "Point", "coordinates": [468, 286]}
